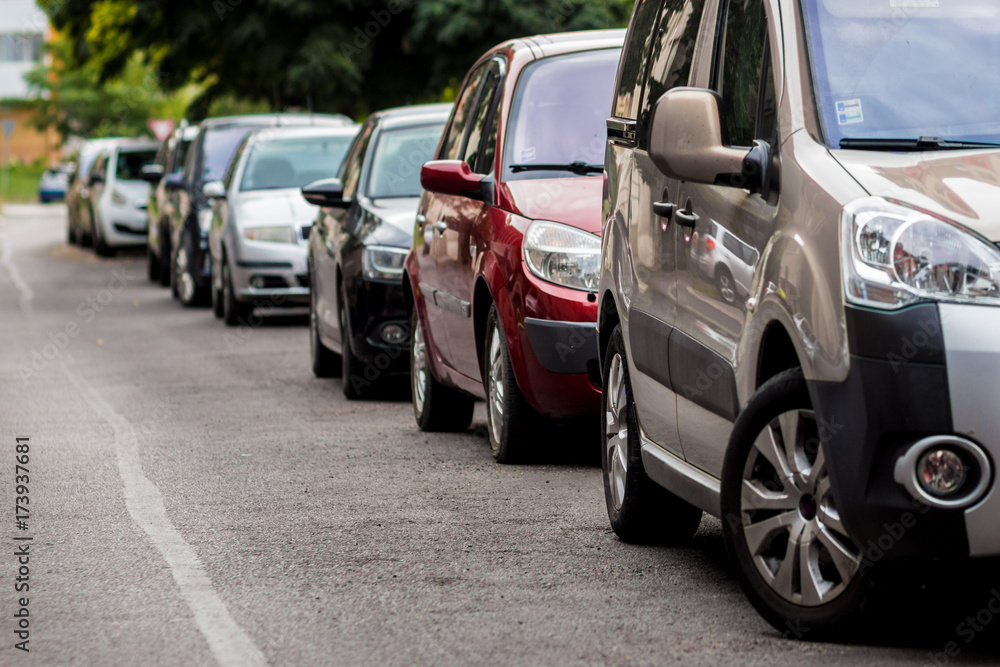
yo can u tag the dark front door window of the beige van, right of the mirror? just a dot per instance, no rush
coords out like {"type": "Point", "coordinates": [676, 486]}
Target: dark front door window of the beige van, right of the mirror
{"type": "Point", "coordinates": [739, 67]}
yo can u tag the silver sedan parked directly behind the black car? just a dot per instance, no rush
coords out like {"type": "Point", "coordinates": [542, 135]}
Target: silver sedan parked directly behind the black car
{"type": "Point", "coordinates": [260, 227]}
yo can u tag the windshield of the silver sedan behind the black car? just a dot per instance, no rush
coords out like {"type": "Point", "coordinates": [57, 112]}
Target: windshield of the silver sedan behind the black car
{"type": "Point", "coordinates": [294, 163]}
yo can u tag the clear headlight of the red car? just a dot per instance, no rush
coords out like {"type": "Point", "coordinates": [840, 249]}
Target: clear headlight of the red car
{"type": "Point", "coordinates": [563, 255]}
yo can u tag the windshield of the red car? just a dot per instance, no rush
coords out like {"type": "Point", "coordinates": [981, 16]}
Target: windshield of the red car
{"type": "Point", "coordinates": [559, 116]}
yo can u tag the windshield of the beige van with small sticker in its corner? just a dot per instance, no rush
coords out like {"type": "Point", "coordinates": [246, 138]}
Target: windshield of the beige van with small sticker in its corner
{"type": "Point", "coordinates": [906, 69]}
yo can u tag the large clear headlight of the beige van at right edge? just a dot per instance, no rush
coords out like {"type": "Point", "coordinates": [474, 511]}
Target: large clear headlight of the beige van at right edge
{"type": "Point", "coordinates": [894, 256]}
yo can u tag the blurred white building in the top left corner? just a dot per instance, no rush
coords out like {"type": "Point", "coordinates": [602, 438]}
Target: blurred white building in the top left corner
{"type": "Point", "coordinates": [23, 28]}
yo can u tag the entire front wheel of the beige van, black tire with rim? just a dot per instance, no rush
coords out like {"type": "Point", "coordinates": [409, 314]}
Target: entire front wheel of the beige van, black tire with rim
{"type": "Point", "coordinates": [829, 597]}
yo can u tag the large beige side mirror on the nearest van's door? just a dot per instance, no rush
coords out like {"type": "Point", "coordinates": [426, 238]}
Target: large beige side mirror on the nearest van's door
{"type": "Point", "coordinates": [685, 142]}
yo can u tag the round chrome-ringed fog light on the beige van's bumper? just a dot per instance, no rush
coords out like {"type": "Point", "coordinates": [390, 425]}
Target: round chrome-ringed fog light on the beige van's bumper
{"type": "Point", "coordinates": [947, 472]}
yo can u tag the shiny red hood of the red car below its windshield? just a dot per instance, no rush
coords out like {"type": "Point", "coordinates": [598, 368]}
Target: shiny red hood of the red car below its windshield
{"type": "Point", "coordinates": [572, 201]}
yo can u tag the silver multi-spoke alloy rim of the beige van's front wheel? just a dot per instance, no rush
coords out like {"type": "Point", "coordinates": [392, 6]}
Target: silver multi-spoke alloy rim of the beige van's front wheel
{"type": "Point", "coordinates": [790, 521]}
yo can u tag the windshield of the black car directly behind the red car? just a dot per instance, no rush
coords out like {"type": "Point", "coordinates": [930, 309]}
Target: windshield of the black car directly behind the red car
{"type": "Point", "coordinates": [399, 155]}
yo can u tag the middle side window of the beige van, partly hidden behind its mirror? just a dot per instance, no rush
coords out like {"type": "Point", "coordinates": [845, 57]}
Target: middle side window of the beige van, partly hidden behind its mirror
{"type": "Point", "coordinates": [670, 62]}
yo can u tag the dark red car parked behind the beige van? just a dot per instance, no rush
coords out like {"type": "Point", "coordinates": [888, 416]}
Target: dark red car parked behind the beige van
{"type": "Point", "coordinates": [506, 249]}
